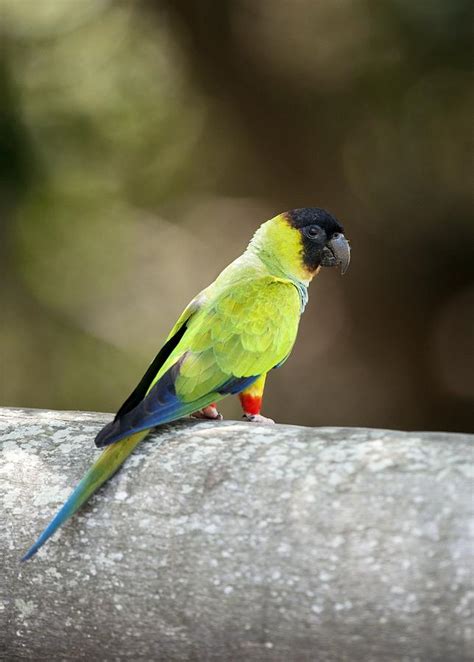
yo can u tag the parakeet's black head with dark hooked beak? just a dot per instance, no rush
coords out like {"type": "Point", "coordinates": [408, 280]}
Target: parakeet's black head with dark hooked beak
{"type": "Point", "coordinates": [322, 238]}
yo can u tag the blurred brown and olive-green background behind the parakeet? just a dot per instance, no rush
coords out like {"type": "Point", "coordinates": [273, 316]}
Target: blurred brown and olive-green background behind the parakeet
{"type": "Point", "coordinates": [141, 144]}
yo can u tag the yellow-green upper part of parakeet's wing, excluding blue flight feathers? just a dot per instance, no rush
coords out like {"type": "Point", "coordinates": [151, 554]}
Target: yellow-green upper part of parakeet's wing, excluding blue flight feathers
{"type": "Point", "coordinates": [242, 331]}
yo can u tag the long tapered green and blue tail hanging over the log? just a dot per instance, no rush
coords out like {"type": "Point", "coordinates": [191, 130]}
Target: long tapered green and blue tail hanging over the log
{"type": "Point", "coordinates": [105, 467]}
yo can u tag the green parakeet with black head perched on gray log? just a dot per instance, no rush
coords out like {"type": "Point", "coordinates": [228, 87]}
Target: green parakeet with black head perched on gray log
{"type": "Point", "coordinates": [225, 342]}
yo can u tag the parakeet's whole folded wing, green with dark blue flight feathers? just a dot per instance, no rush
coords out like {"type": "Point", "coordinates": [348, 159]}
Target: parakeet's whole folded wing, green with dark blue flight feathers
{"type": "Point", "coordinates": [234, 335]}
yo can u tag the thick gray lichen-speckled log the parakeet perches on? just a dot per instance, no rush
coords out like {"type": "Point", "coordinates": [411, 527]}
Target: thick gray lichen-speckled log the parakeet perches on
{"type": "Point", "coordinates": [230, 541]}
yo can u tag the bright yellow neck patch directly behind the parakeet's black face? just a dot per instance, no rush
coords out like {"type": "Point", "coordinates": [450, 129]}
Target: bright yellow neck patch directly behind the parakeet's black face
{"type": "Point", "coordinates": [270, 245]}
